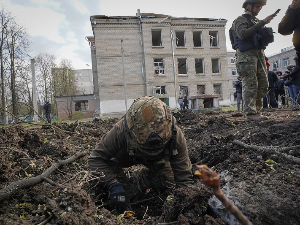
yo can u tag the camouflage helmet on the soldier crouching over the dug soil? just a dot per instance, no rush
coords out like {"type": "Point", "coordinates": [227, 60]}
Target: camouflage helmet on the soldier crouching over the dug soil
{"type": "Point", "coordinates": [150, 122]}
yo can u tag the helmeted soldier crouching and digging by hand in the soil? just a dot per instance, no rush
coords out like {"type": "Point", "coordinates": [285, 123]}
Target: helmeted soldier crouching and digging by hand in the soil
{"type": "Point", "coordinates": [146, 135]}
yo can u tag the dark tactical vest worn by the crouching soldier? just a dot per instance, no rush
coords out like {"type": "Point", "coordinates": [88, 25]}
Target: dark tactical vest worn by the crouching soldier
{"type": "Point", "coordinates": [169, 149]}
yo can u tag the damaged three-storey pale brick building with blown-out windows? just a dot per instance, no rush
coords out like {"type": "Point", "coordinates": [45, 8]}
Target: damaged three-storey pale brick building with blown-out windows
{"type": "Point", "coordinates": [159, 55]}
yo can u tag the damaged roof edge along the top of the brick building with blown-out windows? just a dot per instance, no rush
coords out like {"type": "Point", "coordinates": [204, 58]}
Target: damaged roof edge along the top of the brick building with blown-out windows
{"type": "Point", "coordinates": [152, 15]}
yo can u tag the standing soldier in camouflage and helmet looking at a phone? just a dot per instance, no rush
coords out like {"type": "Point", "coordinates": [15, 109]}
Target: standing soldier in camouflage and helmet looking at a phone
{"type": "Point", "coordinates": [251, 40]}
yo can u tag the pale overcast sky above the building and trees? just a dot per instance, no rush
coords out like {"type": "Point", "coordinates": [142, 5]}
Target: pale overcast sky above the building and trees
{"type": "Point", "coordinates": [59, 27]}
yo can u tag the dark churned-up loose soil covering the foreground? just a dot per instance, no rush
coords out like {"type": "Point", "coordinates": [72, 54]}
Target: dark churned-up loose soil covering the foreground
{"type": "Point", "coordinates": [263, 182]}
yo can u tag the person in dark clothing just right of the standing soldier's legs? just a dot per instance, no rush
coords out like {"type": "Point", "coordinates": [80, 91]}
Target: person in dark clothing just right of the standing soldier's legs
{"type": "Point", "coordinates": [270, 97]}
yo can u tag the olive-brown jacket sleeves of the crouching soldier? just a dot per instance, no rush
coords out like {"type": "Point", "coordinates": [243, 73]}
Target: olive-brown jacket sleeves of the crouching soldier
{"type": "Point", "coordinates": [114, 145]}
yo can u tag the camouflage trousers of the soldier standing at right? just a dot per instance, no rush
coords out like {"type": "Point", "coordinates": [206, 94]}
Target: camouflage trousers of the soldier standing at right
{"type": "Point", "coordinates": [251, 66]}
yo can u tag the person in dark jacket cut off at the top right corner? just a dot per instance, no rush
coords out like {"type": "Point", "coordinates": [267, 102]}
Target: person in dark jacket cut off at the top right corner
{"type": "Point", "coordinates": [291, 23]}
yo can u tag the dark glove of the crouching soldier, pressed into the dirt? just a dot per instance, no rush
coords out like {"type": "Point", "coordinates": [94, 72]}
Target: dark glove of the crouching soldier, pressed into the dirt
{"type": "Point", "coordinates": [117, 197]}
